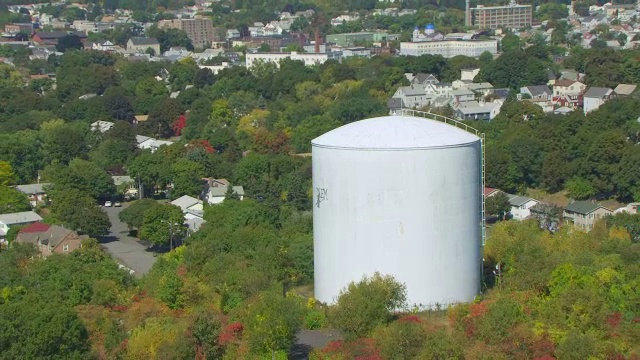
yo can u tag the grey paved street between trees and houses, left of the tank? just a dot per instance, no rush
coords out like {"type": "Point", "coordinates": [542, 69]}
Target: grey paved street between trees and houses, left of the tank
{"type": "Point", "coordinates": [127, 250]}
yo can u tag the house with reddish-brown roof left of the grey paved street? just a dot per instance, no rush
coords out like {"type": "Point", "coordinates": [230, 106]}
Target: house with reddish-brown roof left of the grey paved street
{"type": "Point", "coordinates": [50, 239]}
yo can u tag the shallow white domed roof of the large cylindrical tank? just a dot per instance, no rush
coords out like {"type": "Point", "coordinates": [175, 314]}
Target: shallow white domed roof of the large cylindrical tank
{"type": "Point", "coordinates": [395, 133]}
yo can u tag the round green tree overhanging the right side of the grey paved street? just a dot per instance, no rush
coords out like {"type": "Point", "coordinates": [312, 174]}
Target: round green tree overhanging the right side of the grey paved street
{"type": "Point", "coordinates": [162, 225]}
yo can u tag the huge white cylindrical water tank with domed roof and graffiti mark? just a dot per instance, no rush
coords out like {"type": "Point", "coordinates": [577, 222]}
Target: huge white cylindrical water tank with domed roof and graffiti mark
{"type": "Point", "coordinates": [401, 196]}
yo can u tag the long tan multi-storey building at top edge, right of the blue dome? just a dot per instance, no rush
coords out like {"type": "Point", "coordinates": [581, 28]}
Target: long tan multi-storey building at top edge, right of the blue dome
{"type": "Point", "coordinates": [512, 16]}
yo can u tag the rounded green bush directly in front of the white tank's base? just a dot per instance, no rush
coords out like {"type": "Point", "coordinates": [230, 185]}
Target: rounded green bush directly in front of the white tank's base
{"type": "Point", "coordinates": [366, 304]}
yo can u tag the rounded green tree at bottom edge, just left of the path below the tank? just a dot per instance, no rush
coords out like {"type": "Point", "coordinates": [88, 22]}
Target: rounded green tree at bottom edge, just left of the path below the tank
{"type": "Point", "coordinates": [272, 323]}
